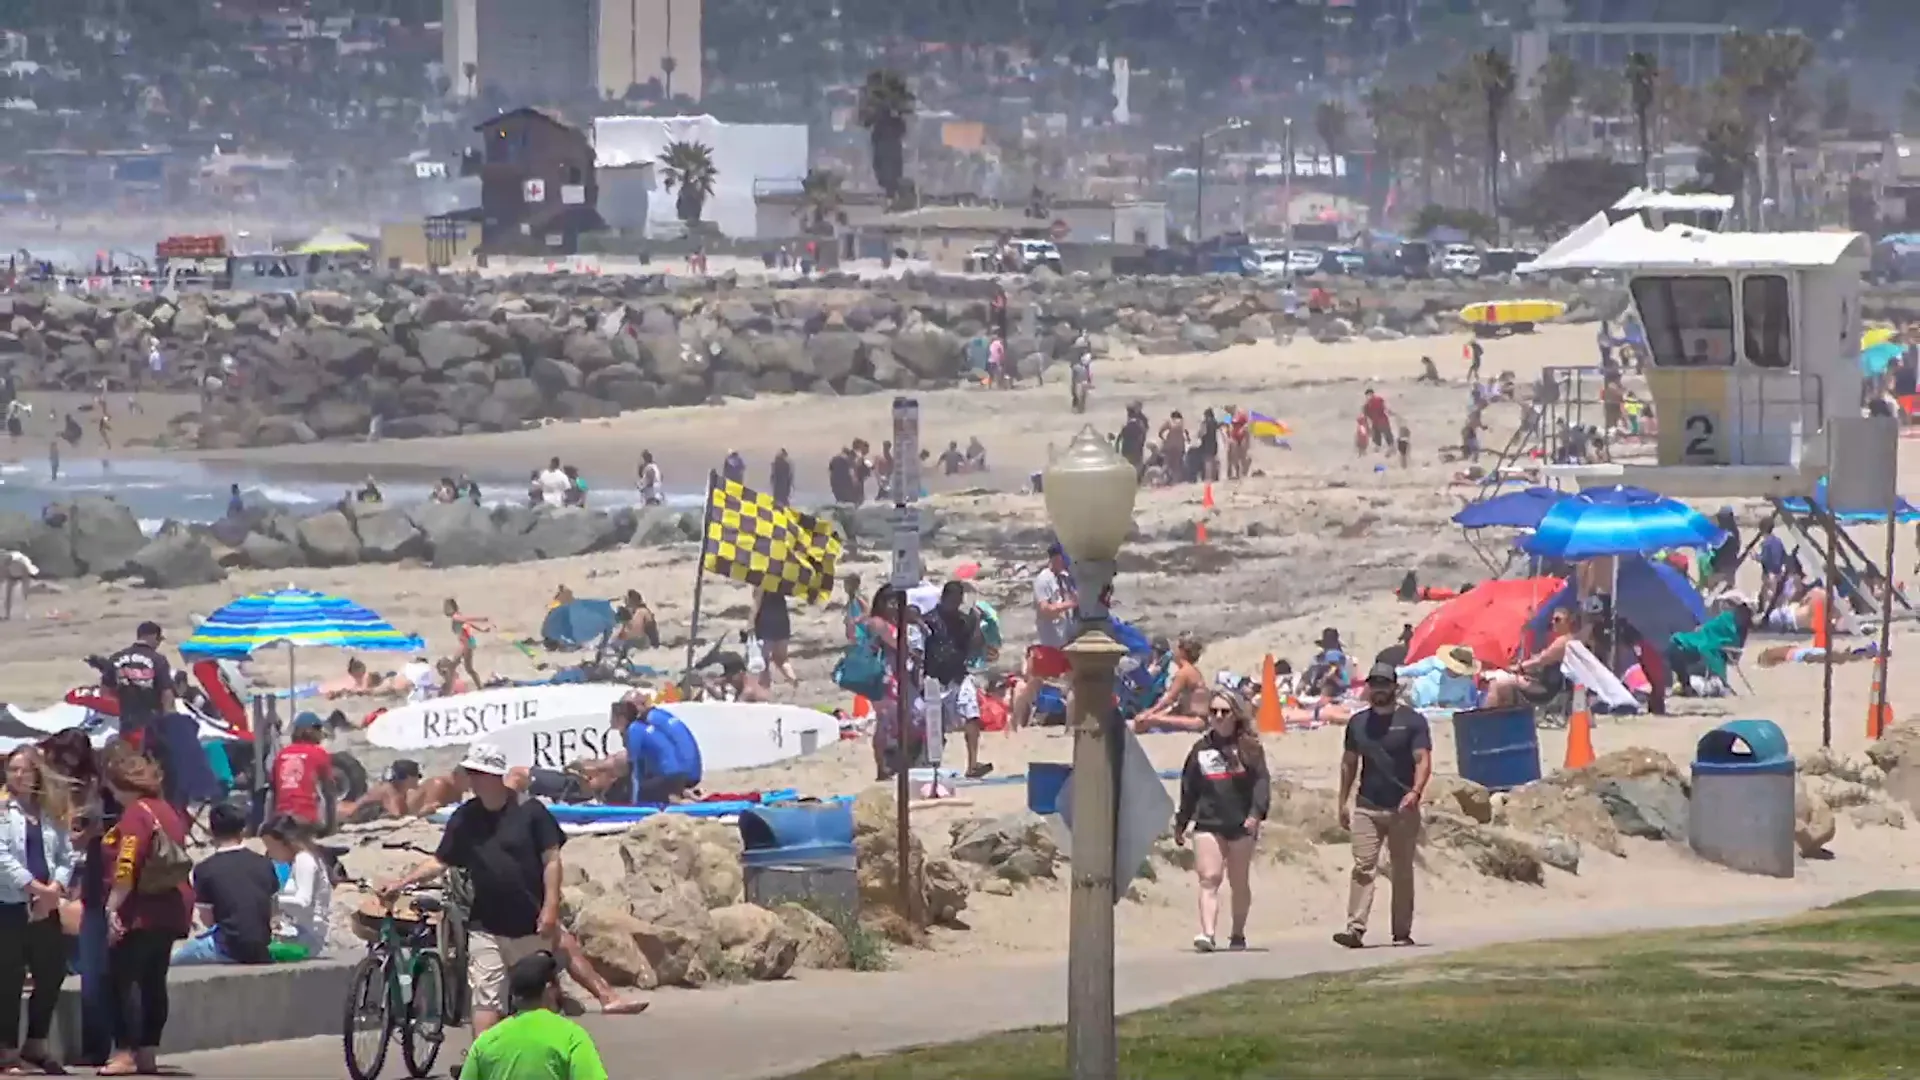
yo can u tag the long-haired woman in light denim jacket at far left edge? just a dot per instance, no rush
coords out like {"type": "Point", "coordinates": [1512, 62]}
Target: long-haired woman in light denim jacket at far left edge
{"type": "Point", "coordinates": [36, 868]}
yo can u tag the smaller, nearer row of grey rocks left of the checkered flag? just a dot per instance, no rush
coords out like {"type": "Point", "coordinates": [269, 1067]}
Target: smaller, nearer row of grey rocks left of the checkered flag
{"type": "Point", "coordinates": [101, 537]}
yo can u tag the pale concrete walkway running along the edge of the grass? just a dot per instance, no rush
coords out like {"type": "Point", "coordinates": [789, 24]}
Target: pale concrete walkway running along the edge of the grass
{"type": "Point", "coordinates": [773, 1029]}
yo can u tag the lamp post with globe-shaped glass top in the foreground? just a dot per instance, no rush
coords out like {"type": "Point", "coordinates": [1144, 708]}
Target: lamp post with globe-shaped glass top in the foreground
{"type": "Point", "coordinates": [1090, 503]}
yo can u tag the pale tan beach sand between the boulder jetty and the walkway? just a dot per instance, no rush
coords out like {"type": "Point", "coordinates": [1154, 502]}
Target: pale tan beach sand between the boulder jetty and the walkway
{"type": "Point", "coordinates": [1318, 539]}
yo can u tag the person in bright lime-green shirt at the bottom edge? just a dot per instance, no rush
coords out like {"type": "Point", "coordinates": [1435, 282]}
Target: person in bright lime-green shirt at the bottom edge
{"type": "Point", "coordinates": [537, 1043]}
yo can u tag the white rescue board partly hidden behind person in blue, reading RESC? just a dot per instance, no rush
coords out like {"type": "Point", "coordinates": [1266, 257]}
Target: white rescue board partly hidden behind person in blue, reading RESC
{"type": "Point", "coordinates": [732, 735]}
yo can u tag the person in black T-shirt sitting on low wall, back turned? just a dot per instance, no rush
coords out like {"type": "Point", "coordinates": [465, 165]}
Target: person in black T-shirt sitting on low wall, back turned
{"type": "Point", "coordinates": [235, 891]}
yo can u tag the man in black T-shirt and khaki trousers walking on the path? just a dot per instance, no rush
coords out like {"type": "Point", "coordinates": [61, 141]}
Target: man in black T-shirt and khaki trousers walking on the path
{"type": "Point", "coordinates": [1389, 749]}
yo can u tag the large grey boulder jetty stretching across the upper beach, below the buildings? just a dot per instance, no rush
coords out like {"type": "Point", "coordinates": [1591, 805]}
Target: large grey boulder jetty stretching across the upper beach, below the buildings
{"type": "Point", "coordinates": [443, 355]}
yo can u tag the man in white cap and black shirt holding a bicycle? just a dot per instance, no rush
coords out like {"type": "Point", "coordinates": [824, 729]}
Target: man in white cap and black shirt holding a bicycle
{"type": "Point", "coordinates": [512, 850]}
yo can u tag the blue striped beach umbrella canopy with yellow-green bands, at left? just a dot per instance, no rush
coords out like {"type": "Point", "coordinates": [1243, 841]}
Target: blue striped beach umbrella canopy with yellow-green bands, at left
{"type": "Point", "coordinates": [295, 618]}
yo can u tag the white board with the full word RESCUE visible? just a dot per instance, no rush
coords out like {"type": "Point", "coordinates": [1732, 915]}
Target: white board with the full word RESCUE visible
{"type": "Point", "coordinates": [469, 718]}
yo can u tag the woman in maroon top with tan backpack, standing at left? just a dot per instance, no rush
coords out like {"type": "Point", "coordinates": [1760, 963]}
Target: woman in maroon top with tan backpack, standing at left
{"type": "Point", "coordinates": [149, 908]}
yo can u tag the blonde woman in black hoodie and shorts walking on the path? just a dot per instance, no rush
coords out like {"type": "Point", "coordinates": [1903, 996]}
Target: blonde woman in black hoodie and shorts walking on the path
{"type": "Point", "coordinates": [1224, 798]}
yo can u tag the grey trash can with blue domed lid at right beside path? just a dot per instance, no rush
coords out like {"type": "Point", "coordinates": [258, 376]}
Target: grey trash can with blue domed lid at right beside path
{"type": "Point", "coordinates": [1742, 808]}
